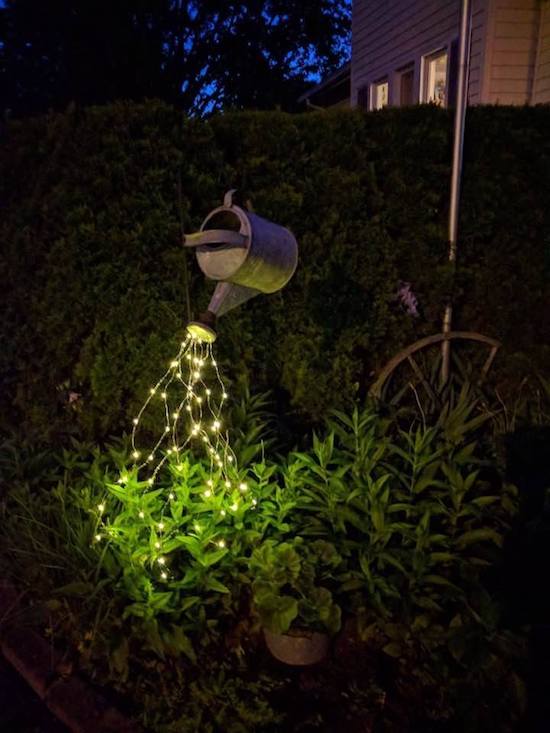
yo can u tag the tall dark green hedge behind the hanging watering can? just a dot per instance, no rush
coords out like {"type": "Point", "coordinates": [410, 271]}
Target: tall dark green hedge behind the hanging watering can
{"type": "Point", "coordinates": [93, 296]}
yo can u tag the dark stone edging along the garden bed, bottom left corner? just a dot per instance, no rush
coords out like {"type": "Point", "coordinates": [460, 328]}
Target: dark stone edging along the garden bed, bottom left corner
{"type": "Point", "coordinates": [70, 698]}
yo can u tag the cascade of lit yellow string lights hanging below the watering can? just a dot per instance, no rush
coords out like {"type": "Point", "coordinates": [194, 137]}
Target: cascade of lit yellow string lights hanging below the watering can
{"type": "Point", "coordinates": [191, 395]}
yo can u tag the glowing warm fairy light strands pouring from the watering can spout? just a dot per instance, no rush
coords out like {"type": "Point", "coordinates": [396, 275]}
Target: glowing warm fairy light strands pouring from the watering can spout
{"type": "Point", "coordinates": [190, 396]}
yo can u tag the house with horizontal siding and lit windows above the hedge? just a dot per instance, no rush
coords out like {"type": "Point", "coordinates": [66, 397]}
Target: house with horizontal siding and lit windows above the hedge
{"type": "Point", "coordinates": [405, 52]}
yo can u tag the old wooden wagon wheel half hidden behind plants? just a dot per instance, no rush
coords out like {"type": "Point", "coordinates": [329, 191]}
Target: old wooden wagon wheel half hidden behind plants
{"type": "Point", "coordinates": [415, 366]}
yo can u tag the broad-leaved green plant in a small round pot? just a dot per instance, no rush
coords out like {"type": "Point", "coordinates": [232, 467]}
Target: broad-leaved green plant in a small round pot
{"type": "Point", "coordinates": [293, 598]}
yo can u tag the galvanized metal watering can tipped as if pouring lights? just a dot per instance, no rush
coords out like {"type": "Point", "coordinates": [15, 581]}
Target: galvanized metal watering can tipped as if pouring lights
{"type": "Point", "coordinates": [245, 253]}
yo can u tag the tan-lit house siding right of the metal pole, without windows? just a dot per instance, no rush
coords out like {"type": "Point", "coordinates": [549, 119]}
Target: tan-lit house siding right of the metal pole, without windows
{"type": "Point", "coordinates": [511, 52]}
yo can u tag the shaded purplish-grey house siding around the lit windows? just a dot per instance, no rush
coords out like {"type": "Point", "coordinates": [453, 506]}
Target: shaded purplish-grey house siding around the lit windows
{"type": "Point", "coordinates": [387, 36]}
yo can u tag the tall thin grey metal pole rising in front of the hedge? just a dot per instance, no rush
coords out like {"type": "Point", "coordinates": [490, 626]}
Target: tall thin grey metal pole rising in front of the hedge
{"type": "Point", "coordinates": [456, 174]}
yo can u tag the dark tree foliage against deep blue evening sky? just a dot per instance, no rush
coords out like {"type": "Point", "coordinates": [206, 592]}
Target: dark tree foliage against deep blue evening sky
{"type": "Point", "coordinates": [200, 55]}
